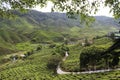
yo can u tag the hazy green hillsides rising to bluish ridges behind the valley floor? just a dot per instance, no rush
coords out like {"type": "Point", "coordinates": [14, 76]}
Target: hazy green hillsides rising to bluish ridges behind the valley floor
{"type": "Point", "coordinates": [40, 27]}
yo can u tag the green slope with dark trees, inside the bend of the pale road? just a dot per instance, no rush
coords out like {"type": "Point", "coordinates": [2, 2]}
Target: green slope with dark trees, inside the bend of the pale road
{"type": "Point", "coordinates": [92, 57]}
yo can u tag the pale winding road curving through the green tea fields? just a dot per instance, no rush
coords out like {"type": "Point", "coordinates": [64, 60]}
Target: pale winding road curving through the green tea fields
{"type": "Point", "coordinates": [60, 71]}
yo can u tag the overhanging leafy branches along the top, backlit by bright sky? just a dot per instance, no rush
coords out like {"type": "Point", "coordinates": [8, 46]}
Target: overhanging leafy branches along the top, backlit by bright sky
{"type": "Point", "coordinates": [73, 7]}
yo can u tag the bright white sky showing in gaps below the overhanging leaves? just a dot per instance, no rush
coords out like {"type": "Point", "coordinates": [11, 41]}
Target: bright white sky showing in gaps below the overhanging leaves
{"type": "Point", "coordinates": [103, 11]}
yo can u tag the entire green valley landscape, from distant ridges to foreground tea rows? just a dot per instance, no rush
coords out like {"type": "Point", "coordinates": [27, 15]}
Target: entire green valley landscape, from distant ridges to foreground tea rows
{"type": "Point", "coordinates": [33, 45]}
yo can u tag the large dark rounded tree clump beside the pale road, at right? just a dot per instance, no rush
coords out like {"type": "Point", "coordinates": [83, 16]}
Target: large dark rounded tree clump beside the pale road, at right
{"type": "Point", "coordinates": [90, 58]}
